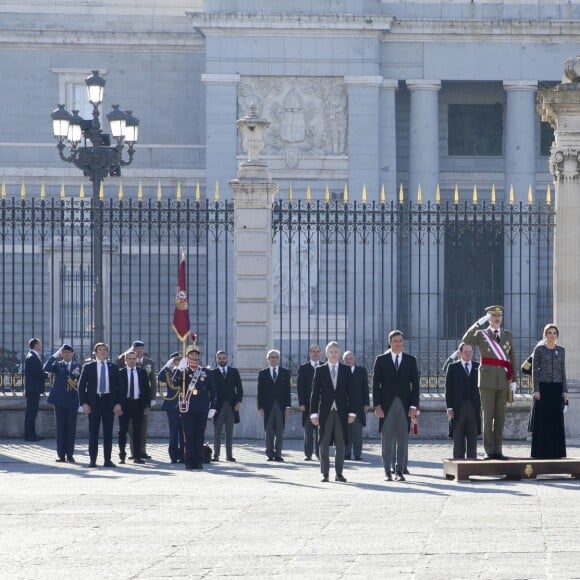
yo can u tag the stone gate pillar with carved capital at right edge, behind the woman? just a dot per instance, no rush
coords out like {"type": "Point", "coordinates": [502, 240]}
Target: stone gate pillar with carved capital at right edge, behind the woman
{"type": "Point", "coordinates": [560, 107]}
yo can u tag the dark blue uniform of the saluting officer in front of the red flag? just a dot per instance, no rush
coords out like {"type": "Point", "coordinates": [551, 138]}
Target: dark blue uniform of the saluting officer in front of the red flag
{"type": "Point", "coordinates": [202, 398]}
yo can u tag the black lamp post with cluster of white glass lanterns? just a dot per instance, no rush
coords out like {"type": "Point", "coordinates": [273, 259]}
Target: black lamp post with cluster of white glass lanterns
{"type": "Point", "coordinates": [97, 161]}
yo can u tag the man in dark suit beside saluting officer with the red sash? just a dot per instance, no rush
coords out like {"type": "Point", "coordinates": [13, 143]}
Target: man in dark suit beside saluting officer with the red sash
{"type": "Point", "coordinates": [463, 403]}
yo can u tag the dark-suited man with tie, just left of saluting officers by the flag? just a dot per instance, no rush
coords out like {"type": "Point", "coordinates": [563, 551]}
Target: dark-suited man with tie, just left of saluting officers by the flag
{"type": "Point", "coordinates": [135, 402]}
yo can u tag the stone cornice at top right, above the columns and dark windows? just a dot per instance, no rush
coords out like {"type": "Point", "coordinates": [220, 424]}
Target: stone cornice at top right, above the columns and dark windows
{"type": "Point", "coordinates": [499, 30]}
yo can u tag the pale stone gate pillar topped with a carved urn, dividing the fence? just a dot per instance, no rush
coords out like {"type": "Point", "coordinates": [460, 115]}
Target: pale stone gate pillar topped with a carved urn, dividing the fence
{"type": "Point", "coordinates": [253, 268]}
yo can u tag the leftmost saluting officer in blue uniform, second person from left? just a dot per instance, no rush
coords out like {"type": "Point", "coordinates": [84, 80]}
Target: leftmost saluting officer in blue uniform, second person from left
{"type": "Point", "coordinates": [64, 395]}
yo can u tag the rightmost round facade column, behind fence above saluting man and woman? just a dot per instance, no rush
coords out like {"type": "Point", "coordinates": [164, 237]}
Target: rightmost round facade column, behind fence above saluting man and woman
{"type": "Point", "coordinates": [521, 259]}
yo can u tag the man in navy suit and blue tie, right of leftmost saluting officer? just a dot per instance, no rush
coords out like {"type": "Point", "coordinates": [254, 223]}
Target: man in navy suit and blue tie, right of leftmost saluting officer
{"type": "Point", "coordinates": [99, 395]}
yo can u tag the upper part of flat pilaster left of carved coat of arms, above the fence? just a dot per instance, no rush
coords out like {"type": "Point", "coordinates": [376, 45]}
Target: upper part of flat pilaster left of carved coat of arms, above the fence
{"type": "Point", "coordinates": [221, 144]}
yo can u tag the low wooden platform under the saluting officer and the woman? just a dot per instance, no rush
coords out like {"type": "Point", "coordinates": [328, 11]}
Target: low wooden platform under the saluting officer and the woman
{"type": "Point", "coordinates": [526, 468]}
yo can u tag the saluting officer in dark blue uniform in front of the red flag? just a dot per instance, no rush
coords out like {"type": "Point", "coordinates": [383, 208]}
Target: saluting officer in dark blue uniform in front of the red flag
{"type": "Point", "coordinates": [197, 404]}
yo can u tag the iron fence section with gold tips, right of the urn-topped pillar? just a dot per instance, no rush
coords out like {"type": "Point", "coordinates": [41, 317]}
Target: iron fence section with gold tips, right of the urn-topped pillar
{"type": "Point", "coordinates": [352, 271]}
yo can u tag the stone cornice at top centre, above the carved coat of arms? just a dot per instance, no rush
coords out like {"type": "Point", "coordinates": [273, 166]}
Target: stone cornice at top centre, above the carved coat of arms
{"type": "Point", "coordinates": [319, 22]}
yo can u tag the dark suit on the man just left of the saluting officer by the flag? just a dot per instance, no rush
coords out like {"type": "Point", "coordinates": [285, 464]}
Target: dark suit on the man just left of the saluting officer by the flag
{"type": "Point", "coordinates": [133, 409]}
